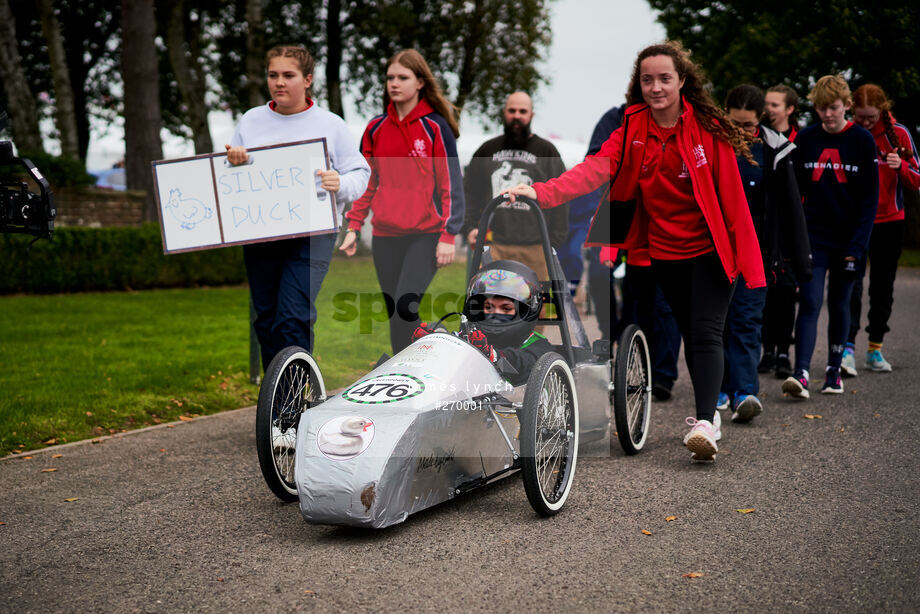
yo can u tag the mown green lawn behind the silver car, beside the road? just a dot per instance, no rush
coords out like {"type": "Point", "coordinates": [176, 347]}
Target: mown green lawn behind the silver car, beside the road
{"type": "Point", "coordinates": [78, 366]}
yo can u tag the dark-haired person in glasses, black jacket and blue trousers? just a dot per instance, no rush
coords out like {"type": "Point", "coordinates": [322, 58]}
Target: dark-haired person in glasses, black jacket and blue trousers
{"type": "Point", "coordinates": [776, 210]}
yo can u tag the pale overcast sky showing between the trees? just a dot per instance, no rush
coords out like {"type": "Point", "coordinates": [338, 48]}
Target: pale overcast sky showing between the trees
{"type": "Point", "coordinates": [594, 45]}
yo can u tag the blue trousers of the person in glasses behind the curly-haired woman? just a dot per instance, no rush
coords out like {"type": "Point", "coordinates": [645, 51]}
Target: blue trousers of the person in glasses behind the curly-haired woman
{"type": "Point", "coordinates": [741, 340]}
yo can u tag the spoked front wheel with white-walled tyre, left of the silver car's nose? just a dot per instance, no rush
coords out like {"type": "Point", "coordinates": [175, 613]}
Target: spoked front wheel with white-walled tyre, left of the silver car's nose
{"type": "Point", "coordinates": [292, 384]}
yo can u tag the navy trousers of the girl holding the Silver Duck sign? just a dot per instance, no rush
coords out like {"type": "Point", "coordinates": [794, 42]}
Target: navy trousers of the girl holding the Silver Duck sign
{"type": "Point", "coordinates": [284, 280]}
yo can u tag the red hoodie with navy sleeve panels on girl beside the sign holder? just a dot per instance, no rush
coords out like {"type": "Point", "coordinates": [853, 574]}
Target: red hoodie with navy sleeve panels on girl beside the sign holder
{"type": "Point", "coordinates": [415, 184]}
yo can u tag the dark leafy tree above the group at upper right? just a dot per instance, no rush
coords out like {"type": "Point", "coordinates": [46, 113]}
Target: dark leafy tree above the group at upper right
{"type": "Point", "coordinates": [797, 41]}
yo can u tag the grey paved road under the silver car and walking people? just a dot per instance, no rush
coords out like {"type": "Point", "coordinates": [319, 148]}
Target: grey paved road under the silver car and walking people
{"type": "Point", "coordinates": [178, 519]}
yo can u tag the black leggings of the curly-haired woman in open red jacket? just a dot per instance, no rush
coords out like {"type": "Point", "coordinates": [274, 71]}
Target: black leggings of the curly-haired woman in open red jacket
{"type": "Point", "coordinates": [699, 294]}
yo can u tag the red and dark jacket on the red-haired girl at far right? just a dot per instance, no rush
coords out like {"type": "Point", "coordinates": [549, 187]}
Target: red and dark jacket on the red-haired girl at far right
{"type": "Point", "coordinates": [892, 183]}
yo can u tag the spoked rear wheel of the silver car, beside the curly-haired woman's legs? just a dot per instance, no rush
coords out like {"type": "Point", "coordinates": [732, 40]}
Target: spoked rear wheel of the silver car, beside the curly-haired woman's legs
{"type": "Point", "coordinates": [632, 386]}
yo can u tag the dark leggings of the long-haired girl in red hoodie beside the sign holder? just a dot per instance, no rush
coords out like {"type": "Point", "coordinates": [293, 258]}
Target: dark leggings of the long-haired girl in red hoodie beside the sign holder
{"type": "Point", "coordinates": [405, 266]}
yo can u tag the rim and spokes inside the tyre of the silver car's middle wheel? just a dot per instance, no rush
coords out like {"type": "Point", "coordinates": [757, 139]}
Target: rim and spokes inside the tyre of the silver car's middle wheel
{"type": "Point", "coordinates": [554, 437]}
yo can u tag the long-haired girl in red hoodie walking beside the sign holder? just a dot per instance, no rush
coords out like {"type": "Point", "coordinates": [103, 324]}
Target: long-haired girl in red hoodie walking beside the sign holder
{"type": "Point", "coordinates": [415, 191]}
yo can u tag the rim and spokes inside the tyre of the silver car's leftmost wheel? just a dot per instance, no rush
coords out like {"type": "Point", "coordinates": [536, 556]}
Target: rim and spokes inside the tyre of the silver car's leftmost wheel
{"type": "Point", "coordinates": [294, 393]}
